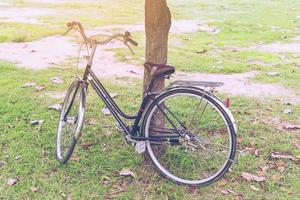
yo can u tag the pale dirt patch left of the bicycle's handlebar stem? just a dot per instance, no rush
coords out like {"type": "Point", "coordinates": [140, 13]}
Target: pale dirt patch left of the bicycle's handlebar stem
{"type": "Point", "coordinates": [39, 54]}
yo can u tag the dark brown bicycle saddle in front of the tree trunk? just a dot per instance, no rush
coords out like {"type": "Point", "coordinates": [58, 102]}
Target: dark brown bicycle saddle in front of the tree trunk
{"type": "Point", "coordinates": [159, 69]}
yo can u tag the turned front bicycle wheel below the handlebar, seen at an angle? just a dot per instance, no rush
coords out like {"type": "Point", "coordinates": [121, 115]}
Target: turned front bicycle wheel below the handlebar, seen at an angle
{"type": "Point", "coordinates": [70, 121]}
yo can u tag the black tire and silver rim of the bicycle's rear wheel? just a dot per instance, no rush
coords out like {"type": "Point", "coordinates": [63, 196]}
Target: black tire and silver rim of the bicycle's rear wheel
{"type": "Point", "coordinates": [223, 112]}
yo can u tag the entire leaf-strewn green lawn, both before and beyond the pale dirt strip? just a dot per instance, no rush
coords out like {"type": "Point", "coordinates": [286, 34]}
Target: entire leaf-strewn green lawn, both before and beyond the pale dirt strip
{"type": "Point", "coordinates": [27, 152]}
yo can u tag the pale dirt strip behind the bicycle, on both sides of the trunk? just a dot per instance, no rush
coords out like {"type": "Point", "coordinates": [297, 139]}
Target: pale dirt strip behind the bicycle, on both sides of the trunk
{"type": "Point", "coordinates": [52, 51]}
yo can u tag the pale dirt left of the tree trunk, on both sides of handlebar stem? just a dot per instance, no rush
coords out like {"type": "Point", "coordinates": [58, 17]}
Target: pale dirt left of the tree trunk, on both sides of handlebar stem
{"type": "Point", "coordinates": [52, 51]}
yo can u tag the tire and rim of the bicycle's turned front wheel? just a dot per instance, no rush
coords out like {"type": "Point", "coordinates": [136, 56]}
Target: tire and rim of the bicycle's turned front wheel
{"type": "Point", "coordinates": [76, 90]}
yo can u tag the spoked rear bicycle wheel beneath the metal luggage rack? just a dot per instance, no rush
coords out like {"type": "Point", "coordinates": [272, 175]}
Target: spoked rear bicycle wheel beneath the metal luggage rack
{"type": "Point", "coordinates": [205, 147]}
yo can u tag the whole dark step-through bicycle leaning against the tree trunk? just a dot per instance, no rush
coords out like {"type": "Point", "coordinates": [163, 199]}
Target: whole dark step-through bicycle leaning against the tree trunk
{"type": "Point", "coordinates": [188, 133]}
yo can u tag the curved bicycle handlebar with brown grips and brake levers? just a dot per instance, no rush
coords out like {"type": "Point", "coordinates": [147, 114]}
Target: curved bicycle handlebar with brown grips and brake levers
{"type": "Point", "coordinates": [125, 37]}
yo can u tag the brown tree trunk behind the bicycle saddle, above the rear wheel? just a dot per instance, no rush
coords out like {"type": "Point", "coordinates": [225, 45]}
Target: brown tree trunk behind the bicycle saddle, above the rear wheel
{"type": "Point", "coordinates": [157, 26]}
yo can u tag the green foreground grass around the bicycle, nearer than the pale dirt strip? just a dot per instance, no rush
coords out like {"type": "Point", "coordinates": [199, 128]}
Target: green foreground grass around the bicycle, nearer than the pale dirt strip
{"type": "Point", "coordinates": [96, 173]}
